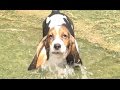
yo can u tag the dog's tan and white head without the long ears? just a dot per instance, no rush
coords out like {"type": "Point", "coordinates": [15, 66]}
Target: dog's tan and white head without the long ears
{"type": "Point", "coordinates": [58, 40]}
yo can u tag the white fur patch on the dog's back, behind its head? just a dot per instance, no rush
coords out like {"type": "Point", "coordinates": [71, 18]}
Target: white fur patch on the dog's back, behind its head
{"type": "Point", "coordinates": [56, 20]}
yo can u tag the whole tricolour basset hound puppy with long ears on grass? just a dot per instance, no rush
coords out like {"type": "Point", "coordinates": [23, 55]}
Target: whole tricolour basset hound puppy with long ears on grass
{"type": "Point", "coordinates": [58, 47]}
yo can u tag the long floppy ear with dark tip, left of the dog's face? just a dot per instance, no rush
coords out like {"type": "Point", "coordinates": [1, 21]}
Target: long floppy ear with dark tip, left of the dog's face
{"type": "Point", "coordinates": [40, 56]}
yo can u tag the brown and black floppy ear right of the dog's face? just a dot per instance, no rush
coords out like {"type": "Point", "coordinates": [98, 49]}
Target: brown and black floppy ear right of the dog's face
{"type": "Point", "coordinates": [74, 51]}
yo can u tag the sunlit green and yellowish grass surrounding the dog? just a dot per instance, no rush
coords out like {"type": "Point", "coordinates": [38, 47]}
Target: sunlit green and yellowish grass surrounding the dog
{"type": "Point", "coordinates": [97, 33]}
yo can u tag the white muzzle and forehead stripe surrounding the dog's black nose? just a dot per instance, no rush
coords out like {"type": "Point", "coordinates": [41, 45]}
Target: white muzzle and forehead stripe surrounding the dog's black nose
{"type": "Point", "coordinates": [58, 40]}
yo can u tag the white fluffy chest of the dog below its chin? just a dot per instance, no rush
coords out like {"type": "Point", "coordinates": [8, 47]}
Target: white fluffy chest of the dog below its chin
{"type": "Point", "coordinates": [57, 64]}
